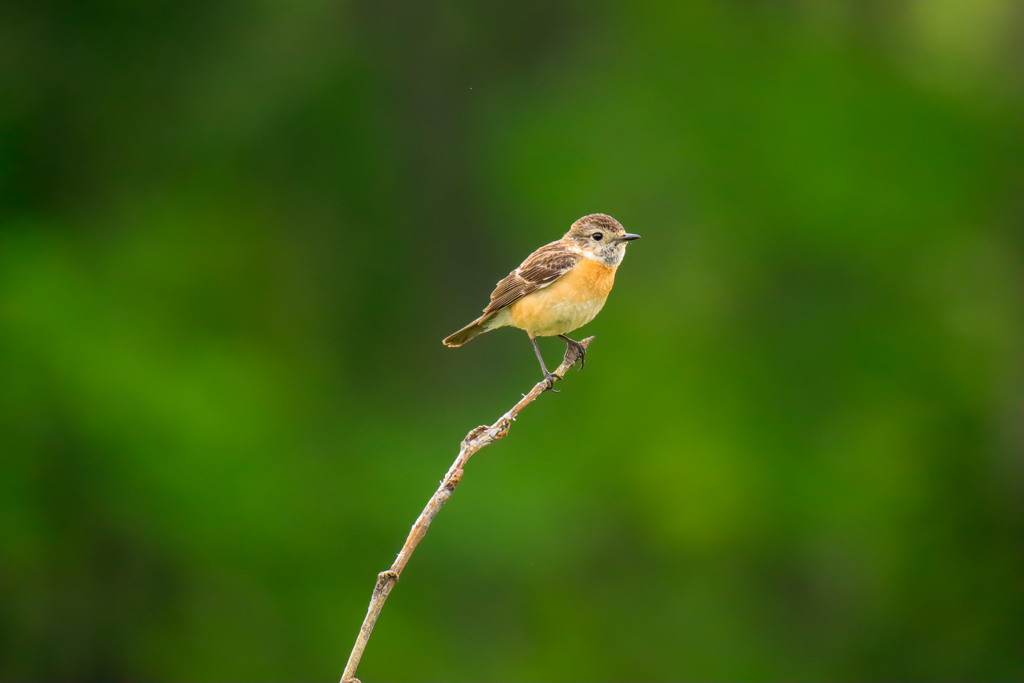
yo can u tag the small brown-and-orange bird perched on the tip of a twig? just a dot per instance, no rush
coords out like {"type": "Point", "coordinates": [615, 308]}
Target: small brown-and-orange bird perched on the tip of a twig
{"type": "Point", "coordinates": [561, 287]}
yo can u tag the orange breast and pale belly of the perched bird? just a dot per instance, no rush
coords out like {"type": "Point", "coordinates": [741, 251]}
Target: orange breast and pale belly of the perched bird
{"type": "Point", "coordinates": [570, 303]}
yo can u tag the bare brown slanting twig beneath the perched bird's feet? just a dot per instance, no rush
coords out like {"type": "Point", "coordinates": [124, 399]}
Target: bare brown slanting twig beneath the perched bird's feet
{"type": "Point", "coordinates": [476, 440]}
